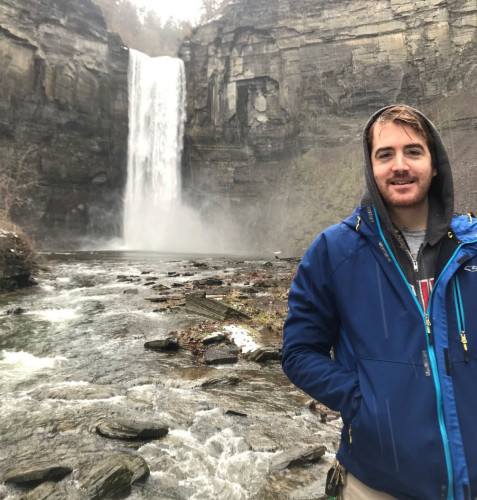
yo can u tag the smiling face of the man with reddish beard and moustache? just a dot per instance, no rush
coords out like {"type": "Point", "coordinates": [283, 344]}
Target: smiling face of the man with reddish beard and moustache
{"type": "Point", "coordinates": [402, 165]}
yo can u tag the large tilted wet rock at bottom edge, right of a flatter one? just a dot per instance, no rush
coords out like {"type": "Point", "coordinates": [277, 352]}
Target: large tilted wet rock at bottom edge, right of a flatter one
{"type": "Point", "coordinates": [113, 475]}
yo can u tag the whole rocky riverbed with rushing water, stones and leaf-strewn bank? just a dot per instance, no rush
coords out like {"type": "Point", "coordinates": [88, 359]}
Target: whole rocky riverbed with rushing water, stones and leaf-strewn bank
{"type": "Point", "coordinates": [156, 377]}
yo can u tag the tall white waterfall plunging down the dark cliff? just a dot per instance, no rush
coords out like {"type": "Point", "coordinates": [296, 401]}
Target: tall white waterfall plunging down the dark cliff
{"type": "Point", "coordinates": [152, 201]}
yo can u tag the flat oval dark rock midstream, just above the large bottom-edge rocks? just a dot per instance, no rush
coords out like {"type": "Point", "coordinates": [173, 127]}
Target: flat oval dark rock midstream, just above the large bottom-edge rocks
{"type": "Point", "coordinates": [132, 429]}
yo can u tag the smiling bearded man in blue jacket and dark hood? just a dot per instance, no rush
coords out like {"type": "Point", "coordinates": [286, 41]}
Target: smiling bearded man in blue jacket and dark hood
{"type": "Point", "coordinates": [392, 290]}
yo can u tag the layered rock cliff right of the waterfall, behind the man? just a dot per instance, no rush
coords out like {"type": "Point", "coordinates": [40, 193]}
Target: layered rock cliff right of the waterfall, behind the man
{"type": "Point", "coordinates": [278, 93]}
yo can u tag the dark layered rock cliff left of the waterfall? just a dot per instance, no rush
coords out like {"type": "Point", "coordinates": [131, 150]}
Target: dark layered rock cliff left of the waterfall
{"type": "Point", "coordinates": [63, 117]}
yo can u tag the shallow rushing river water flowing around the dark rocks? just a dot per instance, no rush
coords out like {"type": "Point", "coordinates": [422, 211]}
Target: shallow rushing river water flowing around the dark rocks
{"type": "Point", "coordinates": [75, 356]}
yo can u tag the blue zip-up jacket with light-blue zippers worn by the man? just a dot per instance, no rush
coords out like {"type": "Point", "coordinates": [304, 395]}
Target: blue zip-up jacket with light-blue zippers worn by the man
{"type": "Point", "coordinates": [401, 377]}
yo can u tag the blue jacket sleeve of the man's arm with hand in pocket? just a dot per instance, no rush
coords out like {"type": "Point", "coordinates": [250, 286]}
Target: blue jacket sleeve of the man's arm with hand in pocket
{"type": "Point", "coordinates": [312, 327]}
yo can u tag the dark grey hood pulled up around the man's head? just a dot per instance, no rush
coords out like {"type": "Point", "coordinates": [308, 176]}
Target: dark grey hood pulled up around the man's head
{"type": "Point", "coordinates": [441, 192]}
